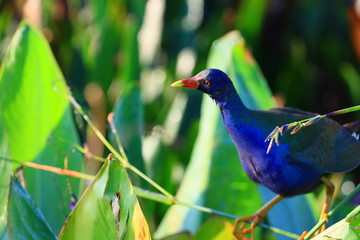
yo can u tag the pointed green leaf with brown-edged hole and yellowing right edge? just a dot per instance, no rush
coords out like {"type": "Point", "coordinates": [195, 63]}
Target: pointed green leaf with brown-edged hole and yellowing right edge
{"type": "Point", "coordinates": [108, 209]}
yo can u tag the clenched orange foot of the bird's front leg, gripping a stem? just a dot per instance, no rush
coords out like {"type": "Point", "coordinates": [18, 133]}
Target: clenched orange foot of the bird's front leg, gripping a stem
{"type": "Point", "coordinates": [241, 233]}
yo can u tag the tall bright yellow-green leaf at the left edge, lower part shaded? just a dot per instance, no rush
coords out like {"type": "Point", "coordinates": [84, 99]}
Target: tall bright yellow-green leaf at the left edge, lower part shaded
{"type": "Point", "coordinates": [37, 119]}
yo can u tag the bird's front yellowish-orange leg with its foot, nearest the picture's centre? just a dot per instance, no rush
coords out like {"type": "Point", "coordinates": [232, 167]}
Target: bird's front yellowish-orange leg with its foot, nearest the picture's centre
{"type": "Point", "coordinates": [256, 218]}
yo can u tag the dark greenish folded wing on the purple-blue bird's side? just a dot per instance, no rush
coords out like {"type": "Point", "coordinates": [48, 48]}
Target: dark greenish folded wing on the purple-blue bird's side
{"type": "Point", "coordinates": [326, 145]}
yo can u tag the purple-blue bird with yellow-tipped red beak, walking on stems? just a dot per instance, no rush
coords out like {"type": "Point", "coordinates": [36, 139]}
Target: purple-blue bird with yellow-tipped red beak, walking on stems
{"type": "Point", "coordinates": [299, 164]}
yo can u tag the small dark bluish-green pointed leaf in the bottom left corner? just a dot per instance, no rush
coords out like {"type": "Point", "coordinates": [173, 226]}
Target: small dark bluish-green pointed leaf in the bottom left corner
{"type": "Point", "coordinates": [25, 221]}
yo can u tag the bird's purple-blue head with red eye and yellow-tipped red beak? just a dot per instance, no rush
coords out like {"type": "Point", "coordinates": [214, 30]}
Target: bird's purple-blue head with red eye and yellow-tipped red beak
{"type": "Point", "coordinates": [214, 82]}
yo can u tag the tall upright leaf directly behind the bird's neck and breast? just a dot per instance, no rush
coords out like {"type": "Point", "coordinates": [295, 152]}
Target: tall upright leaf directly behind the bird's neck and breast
{"type": "Point", "coordinates": [214, 177]}
